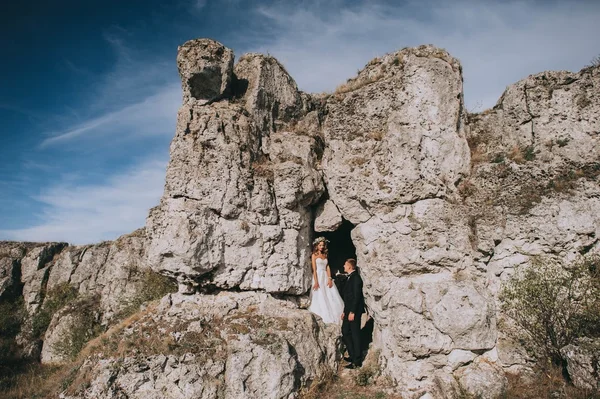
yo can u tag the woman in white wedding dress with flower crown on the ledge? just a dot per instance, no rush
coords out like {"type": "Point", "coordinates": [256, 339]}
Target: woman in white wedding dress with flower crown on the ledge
{"type": "Point", "coordinates": [326, 301]}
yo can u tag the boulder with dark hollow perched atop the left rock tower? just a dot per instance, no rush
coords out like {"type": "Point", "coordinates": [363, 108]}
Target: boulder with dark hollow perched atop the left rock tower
{"type": "Point", "coordinates": [206, 68]}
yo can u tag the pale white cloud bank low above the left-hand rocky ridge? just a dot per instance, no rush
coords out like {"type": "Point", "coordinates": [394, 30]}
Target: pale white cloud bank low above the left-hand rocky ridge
{"type": "Point", "coordinates": [82, 214]}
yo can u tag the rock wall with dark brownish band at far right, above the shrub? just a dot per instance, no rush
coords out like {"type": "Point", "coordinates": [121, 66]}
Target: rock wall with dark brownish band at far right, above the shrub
{"type": "Point", "coordinates": [533, 189]}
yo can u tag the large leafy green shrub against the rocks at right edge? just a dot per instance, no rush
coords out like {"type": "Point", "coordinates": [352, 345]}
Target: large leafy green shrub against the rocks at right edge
{"type": "Point", "coordinates": [553, 305]}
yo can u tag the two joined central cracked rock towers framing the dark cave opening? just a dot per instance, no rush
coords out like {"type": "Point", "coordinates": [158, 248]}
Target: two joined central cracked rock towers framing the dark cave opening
{"type": "Point", "coordinates": [389, 148]}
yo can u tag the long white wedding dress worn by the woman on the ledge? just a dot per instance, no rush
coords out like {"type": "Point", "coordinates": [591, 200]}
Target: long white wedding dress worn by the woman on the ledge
{"type": "Point", "coordinates": [326, 302]}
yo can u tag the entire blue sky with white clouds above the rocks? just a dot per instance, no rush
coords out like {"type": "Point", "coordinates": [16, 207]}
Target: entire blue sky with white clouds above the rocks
{"type": "Point", "coordinates": [89, 90]}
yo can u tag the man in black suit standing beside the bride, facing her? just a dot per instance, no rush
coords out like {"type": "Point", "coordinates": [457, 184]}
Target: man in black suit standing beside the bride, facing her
{"type": "Point", "coordinates": [354, 307]}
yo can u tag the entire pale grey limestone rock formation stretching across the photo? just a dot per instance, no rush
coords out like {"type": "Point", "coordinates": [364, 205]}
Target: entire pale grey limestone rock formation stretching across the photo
{"type": "Point", "coordinates": [445, 206]}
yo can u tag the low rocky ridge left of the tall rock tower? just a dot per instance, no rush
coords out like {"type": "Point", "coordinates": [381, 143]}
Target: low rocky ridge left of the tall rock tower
{"type": "Point", "coordinates": [111, 272]}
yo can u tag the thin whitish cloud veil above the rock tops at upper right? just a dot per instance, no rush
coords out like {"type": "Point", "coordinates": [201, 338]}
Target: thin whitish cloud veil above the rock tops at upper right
{"type": "Point", "coordinates": [498, 43]}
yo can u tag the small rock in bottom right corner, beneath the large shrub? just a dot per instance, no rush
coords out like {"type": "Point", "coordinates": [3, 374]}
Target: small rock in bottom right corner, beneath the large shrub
{"type": "Point", "coordinates": [583, 363]}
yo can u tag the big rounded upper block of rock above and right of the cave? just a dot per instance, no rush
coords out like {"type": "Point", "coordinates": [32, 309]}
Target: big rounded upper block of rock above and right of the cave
{"type": "Point", "coordinates": [395, 134]}
